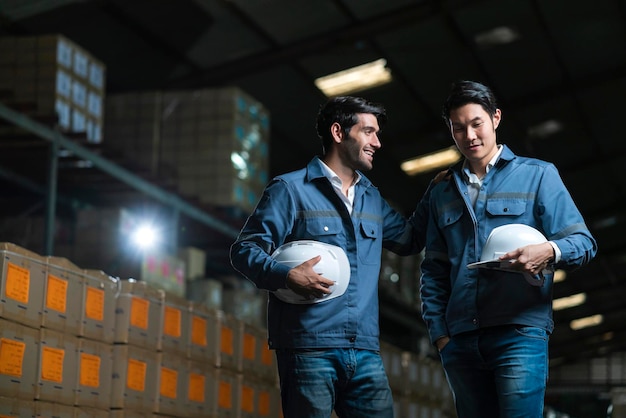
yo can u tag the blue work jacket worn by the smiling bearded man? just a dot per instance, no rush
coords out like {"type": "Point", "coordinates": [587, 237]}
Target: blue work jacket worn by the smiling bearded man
{"type": "Point", "coordinates": [302, 205]}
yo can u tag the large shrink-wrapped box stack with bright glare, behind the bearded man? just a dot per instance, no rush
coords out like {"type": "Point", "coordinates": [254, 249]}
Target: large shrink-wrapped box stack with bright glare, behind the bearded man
{"type": "Point", "coordinates": [215, 142]}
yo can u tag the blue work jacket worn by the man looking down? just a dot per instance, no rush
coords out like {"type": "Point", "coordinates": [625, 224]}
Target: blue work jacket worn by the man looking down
{"type": "Point", "coordinates": [521, 190]}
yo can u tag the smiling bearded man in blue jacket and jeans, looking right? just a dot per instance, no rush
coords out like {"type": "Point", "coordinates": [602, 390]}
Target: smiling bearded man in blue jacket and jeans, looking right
{"type": "Point", "coordinates": [328, 352]}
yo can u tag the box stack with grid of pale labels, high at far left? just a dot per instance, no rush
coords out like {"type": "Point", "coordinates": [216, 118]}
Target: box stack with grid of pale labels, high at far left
{"type": "Point", "coordinates": [51, 74]}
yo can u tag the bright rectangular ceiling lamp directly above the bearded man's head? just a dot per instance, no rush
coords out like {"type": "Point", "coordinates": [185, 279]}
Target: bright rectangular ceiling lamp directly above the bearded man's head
{"type": "Point", "coordinates": [355, 79]}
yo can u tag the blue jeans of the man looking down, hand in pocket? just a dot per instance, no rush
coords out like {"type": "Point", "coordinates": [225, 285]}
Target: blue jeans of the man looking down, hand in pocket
{"type": "Point", "coordinates": [498, 372]}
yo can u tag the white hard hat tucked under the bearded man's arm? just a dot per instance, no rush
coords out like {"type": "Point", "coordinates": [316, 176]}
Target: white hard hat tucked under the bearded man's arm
{"type": "Point", "coordinates": [334, 265]}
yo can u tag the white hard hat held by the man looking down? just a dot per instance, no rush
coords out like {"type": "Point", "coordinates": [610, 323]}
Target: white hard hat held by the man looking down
{"type": "Point", "coordinates": [507, 238]}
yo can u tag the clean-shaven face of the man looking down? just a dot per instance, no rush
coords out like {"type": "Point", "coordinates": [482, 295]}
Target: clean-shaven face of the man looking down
{"type": "Point", "coordinates": [474, 133]}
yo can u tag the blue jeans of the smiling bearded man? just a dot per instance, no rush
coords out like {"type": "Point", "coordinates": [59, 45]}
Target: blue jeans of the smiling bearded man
{"type": "Point", "coordinates": [353, 382]}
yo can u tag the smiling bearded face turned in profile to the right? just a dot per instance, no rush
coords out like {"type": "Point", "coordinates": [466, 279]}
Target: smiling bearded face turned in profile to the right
{"type": "Point", "coordinates": [356, 150]}
